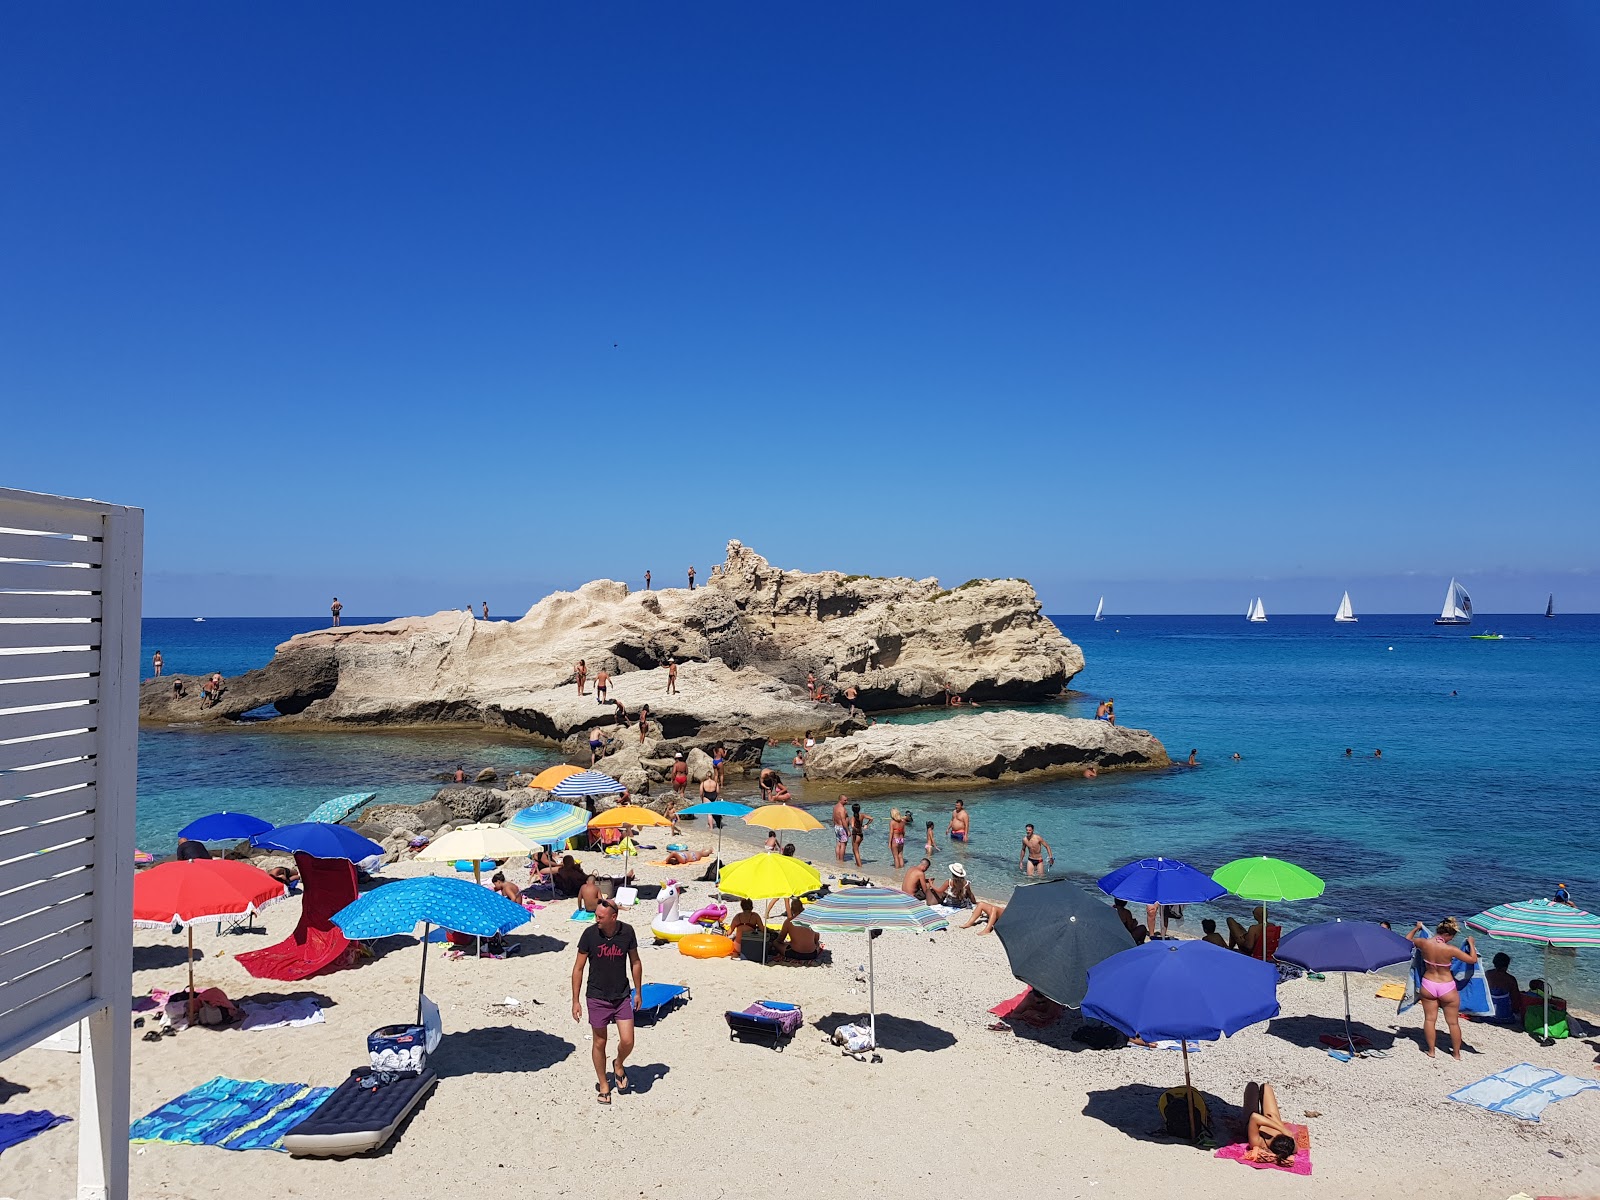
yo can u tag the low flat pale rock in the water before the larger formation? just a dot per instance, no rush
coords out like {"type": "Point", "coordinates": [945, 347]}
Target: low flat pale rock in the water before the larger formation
{"type": "Point", "coordinates": [983, 746]}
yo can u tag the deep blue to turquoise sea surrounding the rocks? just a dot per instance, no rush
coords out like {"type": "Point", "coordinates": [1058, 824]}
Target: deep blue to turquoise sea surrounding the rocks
{"type": "Point", "coordinates": [1489, 788]}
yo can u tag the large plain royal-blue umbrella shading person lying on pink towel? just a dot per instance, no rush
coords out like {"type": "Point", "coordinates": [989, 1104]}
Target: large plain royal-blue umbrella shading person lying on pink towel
{"type": "Point", "coordinates": [1182, 990]}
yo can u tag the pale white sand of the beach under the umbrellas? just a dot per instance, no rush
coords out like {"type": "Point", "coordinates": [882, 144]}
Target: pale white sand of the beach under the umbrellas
{"type": "Point", "coordinates": [951, 1108]}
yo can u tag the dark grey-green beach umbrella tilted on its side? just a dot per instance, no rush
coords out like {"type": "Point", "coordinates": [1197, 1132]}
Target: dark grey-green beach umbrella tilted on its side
{"type": "Point", "coordinates": [1054, 934]}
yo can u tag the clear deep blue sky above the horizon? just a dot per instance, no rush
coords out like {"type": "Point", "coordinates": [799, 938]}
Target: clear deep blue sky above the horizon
{"type": "Point", "coordinates": [430, 305]}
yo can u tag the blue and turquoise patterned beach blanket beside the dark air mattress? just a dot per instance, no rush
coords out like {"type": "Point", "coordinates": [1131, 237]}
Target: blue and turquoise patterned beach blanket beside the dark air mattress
{"type": "Point", "coordinates": [230, 1113]}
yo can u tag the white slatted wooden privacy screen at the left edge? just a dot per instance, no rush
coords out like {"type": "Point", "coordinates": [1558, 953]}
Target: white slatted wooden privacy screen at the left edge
{"type": "Point", "coordinates": [70, 692]}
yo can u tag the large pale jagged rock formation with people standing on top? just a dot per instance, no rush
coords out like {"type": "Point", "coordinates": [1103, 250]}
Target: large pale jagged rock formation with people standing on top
{"type": "Point", "coordinates": [745, 644]}
